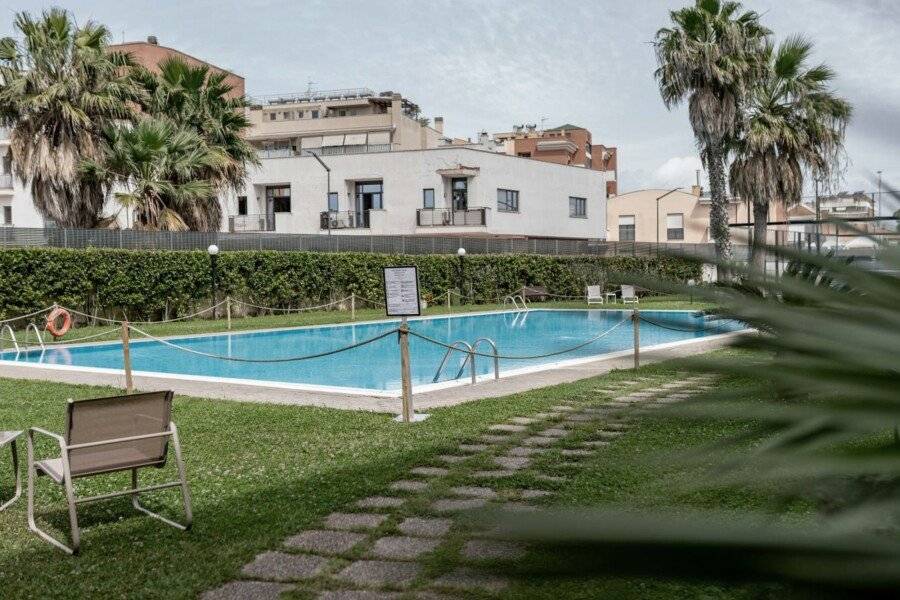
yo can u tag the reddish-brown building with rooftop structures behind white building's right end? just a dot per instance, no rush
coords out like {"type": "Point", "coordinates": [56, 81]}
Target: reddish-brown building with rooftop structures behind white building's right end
{"type": "Point", "coordinates": [566, 145]}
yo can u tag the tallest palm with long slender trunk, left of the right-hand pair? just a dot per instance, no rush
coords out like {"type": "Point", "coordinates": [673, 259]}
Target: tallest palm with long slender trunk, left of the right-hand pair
{"type": "Point", "coordinates": [708, 57]}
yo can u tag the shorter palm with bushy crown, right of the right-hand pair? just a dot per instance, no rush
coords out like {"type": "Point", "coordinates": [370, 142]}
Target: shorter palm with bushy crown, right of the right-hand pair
{"type": "Point", "coordinates": [793, 122]}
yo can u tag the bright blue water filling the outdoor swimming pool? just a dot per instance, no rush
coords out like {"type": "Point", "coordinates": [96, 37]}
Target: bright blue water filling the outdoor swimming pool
{"type": "Point", "coordinates": [377, 366]}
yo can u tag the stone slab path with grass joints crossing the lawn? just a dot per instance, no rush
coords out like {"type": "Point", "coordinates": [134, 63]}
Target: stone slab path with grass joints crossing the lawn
{"type": "Point", "coordinates": [378, 548]}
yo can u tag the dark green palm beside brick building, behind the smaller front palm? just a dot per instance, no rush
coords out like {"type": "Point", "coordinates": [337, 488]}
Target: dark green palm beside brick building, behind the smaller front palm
{"type": "Point", "coordinates": [198, 100]}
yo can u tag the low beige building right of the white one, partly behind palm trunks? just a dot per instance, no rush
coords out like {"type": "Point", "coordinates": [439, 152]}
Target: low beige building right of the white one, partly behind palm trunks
{"type": "Point", "coordinates": [682, 216]}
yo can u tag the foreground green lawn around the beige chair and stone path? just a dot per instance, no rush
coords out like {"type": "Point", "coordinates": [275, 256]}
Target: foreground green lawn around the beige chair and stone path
{"type": "Point", "coordinates": [260, 473]}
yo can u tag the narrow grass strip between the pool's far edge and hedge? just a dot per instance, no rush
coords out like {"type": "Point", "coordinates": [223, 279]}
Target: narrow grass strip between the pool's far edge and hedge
{"type": "Point", "coordinates": [321, 317]}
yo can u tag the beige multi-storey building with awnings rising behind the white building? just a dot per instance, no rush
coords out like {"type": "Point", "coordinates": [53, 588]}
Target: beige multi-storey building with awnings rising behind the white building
{"type": "Point", "coordinates": [337, 122]}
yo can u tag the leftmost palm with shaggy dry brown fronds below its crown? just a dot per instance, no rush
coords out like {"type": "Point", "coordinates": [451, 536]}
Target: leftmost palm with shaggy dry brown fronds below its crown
{"type": "Point", "coordinates": [59, 87]}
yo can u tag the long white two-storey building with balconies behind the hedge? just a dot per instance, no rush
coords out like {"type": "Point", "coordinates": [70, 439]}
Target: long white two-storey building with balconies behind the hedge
{"type": "Point", "coordinates": [446, 190]}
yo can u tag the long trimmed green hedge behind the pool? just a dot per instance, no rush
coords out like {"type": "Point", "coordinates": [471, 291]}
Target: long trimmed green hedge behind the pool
{"type": "Point", "coordinates": [146, 284]}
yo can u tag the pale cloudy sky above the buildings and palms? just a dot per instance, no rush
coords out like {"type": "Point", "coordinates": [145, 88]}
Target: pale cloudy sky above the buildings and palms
{"type": "Point", "coordinates": [490, 64]}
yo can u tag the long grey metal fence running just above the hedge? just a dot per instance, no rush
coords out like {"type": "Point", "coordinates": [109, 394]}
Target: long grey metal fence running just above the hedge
{"type": "Point", "coordinates": [18, 237]}
